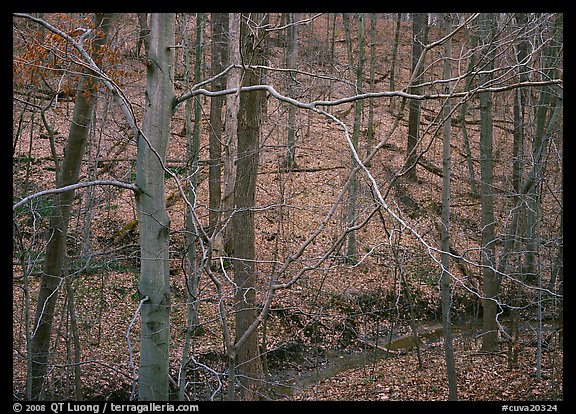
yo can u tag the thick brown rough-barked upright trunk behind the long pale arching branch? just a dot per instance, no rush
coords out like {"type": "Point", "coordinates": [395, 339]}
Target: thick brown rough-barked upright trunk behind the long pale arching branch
{"type": "Point", "coordinates": [248, 364]}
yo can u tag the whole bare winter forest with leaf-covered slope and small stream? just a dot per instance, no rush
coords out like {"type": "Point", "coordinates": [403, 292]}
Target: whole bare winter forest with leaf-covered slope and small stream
{"type": "Point", "coordinates": [287, 206]}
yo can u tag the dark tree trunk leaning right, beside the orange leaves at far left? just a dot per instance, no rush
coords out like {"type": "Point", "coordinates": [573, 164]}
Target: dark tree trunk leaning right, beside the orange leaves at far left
{"type": "Point", "coordinates": [52, 276]}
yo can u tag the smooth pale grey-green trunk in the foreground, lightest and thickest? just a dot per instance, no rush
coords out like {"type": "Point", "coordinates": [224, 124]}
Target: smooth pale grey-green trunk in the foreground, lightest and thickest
{"type": "Point", "coordinates": [153, 220]}
